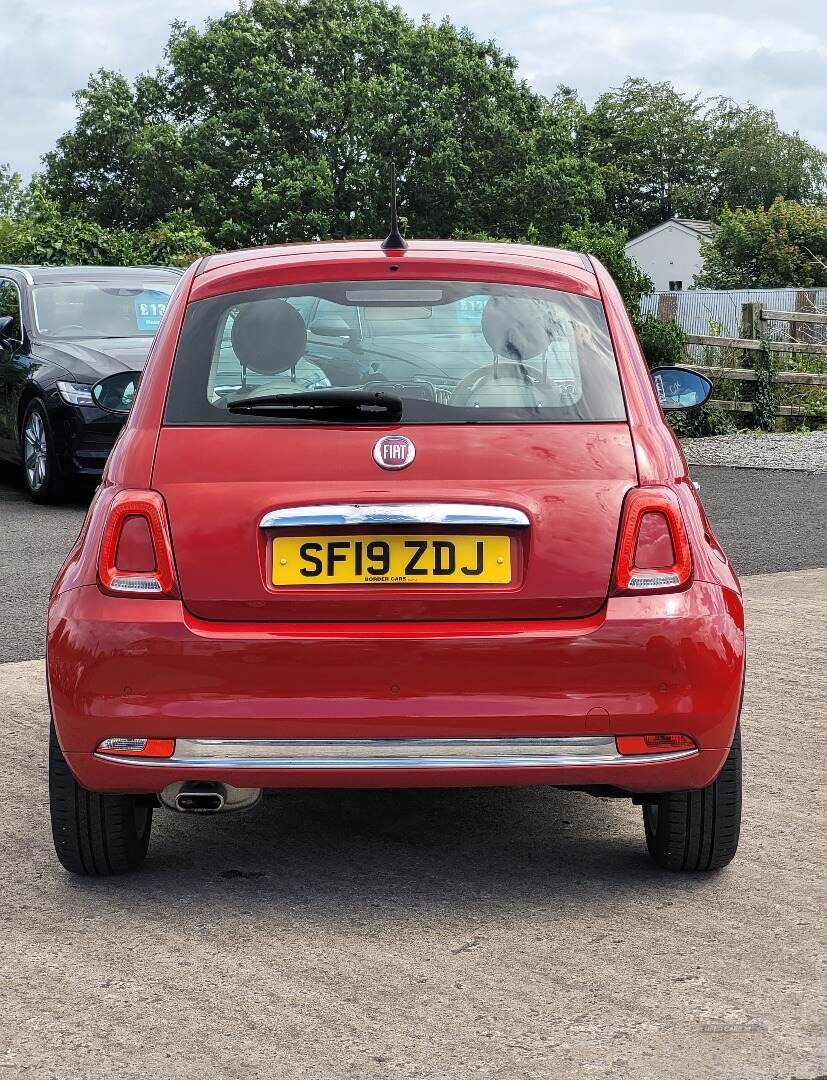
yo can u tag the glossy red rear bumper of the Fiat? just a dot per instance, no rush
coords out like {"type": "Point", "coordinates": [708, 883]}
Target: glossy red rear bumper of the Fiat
{"type": "Point", "coordinates": [670, 664]}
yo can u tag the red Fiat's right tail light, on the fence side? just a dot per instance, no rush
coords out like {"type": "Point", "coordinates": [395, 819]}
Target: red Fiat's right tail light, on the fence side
{"type": "Point", "coordinates": [654, 552]}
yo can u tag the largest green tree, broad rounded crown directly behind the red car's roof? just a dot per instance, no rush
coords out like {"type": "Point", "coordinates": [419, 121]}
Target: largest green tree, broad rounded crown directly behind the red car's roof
{"type": "Point", "coordinates": [278, 123]}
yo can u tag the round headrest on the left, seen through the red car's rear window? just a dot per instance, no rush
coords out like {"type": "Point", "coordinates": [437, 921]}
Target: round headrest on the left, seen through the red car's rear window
{"type": "Point", "coordinates": [269, 336]}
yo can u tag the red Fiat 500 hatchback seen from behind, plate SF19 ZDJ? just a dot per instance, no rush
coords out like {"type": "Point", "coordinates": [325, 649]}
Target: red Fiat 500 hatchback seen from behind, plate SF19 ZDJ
{"type": "Point", "coordinates": [396, 517]}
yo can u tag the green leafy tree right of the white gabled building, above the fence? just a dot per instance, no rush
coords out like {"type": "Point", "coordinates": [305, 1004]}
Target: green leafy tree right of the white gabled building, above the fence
{"type": "Point", "coordinates": [785, 246]}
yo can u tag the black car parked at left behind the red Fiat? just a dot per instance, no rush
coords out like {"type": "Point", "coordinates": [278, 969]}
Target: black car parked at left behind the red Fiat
{"type": "Point", "coordinates": [62, 331]}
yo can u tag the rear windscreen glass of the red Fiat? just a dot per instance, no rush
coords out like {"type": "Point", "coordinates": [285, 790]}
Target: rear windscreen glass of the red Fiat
{"type": "Point", "coordinates": [452, 352]}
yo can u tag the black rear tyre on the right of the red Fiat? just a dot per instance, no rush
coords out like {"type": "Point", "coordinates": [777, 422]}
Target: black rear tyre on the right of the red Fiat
{"type": "Point", "coordinates": [698, 830]}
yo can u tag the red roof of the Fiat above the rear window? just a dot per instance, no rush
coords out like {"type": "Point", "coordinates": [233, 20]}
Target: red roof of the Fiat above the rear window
{"type": "Point", "coordinates": [254, 267]}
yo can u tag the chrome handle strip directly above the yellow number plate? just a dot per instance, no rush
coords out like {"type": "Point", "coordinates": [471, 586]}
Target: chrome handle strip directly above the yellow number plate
{"type": "Point", "coordinates": [394, 514]}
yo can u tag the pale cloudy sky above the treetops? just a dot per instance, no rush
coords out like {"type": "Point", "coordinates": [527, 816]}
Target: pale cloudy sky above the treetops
{"type": "Point", "coordinates": [770, 53]}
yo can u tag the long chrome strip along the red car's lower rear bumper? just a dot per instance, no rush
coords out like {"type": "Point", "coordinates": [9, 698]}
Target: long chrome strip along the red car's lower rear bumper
{"type": "Point", "coordinates": [397, 753]}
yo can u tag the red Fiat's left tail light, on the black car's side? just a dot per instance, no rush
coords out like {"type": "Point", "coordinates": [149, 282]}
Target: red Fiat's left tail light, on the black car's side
{"type": "Point", "coordinates": [137, 552]}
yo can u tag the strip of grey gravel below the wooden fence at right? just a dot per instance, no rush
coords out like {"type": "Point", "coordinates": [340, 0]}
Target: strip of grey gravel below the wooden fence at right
{"type": "Point", "coordinates": [750, 450]}
